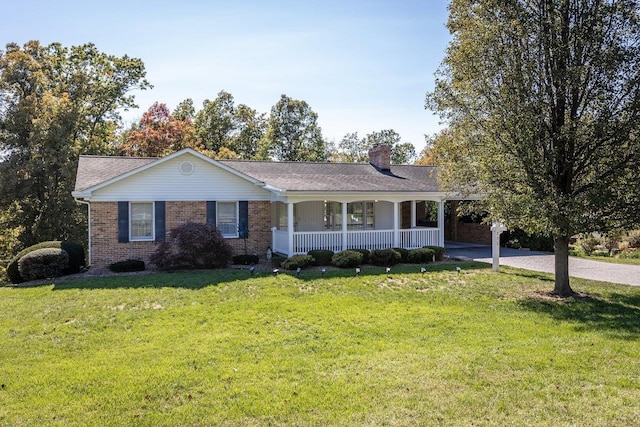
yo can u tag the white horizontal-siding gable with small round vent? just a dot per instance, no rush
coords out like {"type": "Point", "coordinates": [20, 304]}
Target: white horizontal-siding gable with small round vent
{"type": "Point", "coordinates": [166, 181]}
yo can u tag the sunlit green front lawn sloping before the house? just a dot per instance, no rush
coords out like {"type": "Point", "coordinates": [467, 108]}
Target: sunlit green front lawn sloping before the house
{"type": "Point", "coordinates": [223, 348]}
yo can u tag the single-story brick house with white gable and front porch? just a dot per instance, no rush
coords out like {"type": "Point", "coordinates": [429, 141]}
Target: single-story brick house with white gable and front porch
{"type": "Point", "coordinates": [288, 207]}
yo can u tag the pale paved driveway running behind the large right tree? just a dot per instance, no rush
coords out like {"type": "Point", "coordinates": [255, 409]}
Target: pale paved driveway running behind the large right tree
{"type": "Point", "coordinates": [544, 262]}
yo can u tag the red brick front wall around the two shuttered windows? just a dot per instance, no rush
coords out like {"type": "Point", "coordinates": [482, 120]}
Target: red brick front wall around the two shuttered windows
{"type": "Point", "coordinates": [105, 248]}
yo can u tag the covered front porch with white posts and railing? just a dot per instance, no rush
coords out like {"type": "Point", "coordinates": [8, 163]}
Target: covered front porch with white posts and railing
{"type": "Point", "coordinates": [376, 224]}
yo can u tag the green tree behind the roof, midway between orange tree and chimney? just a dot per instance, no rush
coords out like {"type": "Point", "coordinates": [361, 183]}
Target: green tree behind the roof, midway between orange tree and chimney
{"type": "Point", "coordinates": [293, 133]}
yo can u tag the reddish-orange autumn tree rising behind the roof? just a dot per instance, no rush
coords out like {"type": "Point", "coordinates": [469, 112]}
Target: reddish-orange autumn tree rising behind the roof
{"type": "Point", "coordinates": [159, 134]}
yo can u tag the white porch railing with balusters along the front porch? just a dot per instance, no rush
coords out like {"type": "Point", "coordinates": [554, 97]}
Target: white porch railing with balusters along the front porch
{"type": "Point", "coordinates": [304, 241]}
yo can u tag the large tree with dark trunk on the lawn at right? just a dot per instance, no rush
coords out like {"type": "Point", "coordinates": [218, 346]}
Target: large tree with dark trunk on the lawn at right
{"type": "Point", "coordinates": [542, 99]}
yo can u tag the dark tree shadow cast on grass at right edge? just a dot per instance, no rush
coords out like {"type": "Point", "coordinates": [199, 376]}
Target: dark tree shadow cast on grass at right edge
{"type": "Point", "coordinates": [615, 313]}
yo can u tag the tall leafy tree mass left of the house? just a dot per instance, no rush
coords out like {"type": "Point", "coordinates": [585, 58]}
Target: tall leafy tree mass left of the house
{"type": "Point", "coordinates": [55, 103]}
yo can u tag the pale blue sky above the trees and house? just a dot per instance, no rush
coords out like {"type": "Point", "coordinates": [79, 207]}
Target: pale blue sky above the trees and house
{"type": "Point", "coordinates": [361, 65]}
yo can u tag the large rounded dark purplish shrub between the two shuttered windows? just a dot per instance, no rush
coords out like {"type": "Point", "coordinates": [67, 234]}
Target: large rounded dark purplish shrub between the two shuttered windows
{"type": "Point", "coordinates": [193, 245]}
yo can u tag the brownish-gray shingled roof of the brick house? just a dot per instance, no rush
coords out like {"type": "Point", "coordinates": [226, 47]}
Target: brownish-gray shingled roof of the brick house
{"type": "Point", "coordinates": [287, 176]}
